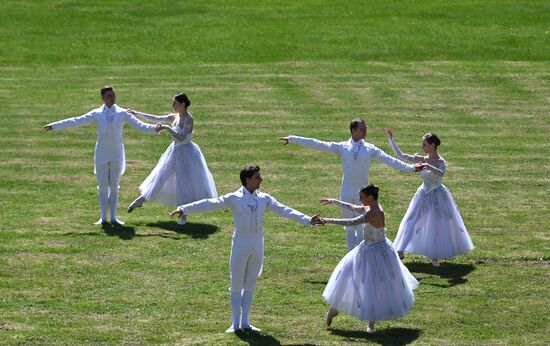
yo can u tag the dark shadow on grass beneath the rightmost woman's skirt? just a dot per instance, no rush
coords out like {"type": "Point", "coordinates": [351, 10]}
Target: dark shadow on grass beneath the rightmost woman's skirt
{"type": "Point", "coordinates": [453, 272]}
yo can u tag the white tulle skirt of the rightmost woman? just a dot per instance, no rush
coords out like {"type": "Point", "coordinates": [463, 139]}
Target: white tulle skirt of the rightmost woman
{"type": "Point", "coordinates": [433, 227]}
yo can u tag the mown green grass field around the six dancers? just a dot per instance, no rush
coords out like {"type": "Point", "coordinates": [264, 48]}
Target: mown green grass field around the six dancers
{"type": "Point", "coordinates": [477, 73]}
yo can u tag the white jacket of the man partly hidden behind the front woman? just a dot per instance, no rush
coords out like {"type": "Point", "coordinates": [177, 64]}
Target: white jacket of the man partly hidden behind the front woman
{"type": "Point", "coordinates": [355, 167]}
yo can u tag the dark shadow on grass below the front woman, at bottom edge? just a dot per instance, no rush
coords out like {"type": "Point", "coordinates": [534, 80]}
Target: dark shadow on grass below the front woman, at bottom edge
{"type": "Point", "coordinates": [387, 336]}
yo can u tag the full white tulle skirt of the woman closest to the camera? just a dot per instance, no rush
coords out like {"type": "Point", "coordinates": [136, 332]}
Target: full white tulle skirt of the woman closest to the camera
{"type": "Point", "coordinates": [371, 283]}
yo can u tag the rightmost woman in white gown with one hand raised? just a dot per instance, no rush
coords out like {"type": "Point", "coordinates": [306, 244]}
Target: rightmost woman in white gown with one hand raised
{"type": "Point", "coordinates": [432, 225]}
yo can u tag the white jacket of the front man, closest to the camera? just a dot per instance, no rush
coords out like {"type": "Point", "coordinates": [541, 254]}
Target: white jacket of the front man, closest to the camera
{"type": "Point", "coordinates": [246, 221]}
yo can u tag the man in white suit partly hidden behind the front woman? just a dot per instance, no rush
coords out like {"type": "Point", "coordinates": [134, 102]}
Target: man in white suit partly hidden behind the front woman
{"type": "Point", "coordinates": [356, 155]}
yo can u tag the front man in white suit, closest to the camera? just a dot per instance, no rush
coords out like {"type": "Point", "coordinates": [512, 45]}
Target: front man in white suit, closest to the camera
{"type": "Point", "coordinates": [247, 205]}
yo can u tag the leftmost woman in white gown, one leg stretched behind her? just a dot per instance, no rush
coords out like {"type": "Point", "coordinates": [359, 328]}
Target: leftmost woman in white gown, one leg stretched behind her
{"type": "Point", "coordinates": [181, 175]}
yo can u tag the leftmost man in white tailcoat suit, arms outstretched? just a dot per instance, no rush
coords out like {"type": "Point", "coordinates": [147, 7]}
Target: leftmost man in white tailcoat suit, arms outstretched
{"type": "Point", "coordinates": [109, 156]}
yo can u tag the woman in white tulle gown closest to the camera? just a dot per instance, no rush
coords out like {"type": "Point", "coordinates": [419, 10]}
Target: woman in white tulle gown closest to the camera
{"type": "Point", "coordinates": [370, 282]}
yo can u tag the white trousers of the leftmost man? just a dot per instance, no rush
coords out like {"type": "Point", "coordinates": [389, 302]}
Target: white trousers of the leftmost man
{"type": "Point", "coordinates": [108, 179]}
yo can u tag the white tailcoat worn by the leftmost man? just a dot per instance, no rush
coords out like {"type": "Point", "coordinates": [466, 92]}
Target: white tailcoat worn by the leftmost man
{"type": "Point", "coordinates": [109, 146]}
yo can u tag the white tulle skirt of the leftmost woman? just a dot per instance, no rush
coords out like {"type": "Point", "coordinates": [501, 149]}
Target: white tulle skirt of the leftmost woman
{"type": "Point", "coordinates": [181, 176]}
